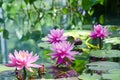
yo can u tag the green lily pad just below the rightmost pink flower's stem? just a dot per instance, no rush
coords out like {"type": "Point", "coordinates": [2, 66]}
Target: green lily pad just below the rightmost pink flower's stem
{"type": "Point", "coordinates": [105, 53]}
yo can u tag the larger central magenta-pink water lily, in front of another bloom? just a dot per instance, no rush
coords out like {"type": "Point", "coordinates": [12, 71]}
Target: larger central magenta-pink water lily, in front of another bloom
{"type": "Point", "coordinates": [63, 52]}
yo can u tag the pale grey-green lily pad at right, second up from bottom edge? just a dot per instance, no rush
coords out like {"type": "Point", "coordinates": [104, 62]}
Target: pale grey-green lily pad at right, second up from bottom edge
{"type": "Point", "coordinates": [103, 65]}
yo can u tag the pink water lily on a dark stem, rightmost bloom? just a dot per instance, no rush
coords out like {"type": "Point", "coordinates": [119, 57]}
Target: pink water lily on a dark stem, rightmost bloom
{"type": "Point", "coordinates": [100, 32]}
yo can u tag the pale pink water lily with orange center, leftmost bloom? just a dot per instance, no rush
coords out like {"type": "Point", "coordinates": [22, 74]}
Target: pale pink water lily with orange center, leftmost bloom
{"type": "Point", "coordinates": [23, 59]}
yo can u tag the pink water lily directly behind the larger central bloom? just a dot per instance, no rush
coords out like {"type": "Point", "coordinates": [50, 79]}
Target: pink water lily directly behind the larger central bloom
{"type": "Point", "coordinates": [56, 35]}
